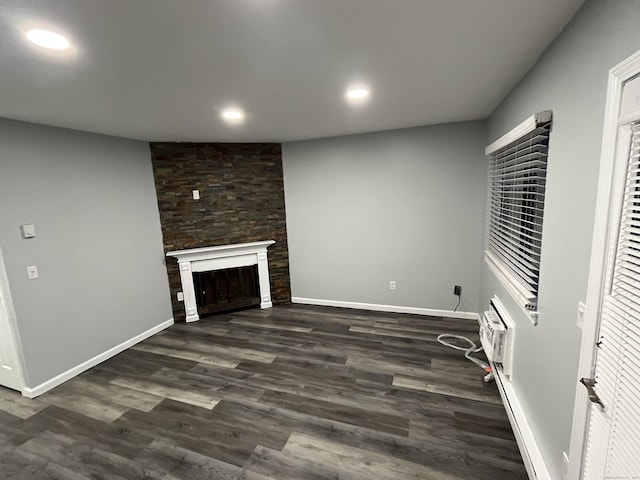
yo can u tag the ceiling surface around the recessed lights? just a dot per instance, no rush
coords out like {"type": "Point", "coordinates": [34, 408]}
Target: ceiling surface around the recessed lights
{"type": "Point", "coordinates": [163, 69]}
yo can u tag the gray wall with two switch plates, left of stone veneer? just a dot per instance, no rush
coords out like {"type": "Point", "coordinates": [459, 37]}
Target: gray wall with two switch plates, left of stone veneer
{"type": "Point", "coordinates": [98, 247]}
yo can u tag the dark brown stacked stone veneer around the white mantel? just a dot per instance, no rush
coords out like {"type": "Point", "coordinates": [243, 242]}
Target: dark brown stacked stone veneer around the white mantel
{"type": "Point", "coordinates": [241, 200]}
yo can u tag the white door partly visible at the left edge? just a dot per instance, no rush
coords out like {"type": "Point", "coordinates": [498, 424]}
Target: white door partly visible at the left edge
{"type": "Point", "coordinates": [10, 371]}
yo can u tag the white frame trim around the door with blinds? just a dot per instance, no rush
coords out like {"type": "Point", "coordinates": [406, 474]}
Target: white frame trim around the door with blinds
{"type": "Point", "coordinates": [600, 248]}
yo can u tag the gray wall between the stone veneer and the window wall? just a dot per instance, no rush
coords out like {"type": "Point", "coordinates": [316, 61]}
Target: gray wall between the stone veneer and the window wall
{"type": "Point", "coordinates": [403, 205]}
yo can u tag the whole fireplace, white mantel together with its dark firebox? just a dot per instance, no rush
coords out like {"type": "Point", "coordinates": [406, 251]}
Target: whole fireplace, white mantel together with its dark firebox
{"type": "Point", "coordinates": [210, 273]}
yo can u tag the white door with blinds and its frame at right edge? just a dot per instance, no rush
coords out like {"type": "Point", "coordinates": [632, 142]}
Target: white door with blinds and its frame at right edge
{"type": "Point", "coordinates": [605, 440]}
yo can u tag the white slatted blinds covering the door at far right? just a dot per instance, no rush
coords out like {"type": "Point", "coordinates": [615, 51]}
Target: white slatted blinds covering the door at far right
{"type": "Point", "coordinates": [613, 442]}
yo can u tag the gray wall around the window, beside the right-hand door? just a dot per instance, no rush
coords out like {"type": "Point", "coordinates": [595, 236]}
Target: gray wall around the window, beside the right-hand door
{"type": "Point", "coordinates": [570, 79]}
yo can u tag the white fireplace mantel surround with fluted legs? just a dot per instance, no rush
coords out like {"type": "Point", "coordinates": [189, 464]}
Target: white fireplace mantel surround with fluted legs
{"type": "Point", "coordinates": [207, 259]}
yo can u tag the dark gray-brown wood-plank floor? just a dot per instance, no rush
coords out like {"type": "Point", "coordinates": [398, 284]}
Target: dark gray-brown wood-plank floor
{"type": "Point", "coordinates": [293, 392]}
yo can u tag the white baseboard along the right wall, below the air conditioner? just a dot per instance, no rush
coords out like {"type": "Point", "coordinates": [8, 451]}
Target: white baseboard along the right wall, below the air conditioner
{"type": "Point", "coordinates": [531, 454]}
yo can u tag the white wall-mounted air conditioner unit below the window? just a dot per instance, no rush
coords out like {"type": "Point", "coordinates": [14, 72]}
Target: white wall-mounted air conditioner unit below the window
{"type": "Point", "coordinates": [497, 334]}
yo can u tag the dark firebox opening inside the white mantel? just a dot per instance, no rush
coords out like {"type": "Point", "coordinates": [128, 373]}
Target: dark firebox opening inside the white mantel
{"type": "Point", "coordinates": [227, 289]}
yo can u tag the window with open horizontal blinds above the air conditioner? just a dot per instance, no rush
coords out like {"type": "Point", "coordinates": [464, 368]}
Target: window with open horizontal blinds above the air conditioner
{"type": "Point", "coordinates": [517, 179]}
